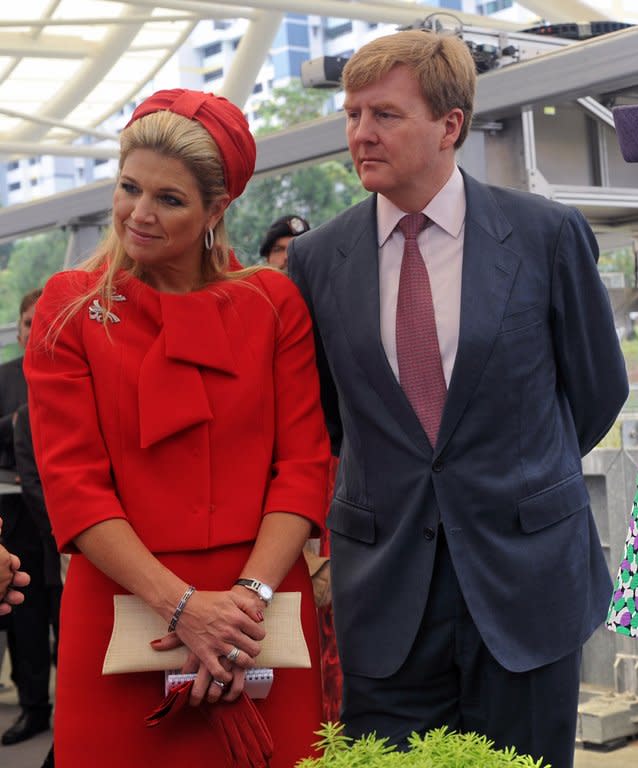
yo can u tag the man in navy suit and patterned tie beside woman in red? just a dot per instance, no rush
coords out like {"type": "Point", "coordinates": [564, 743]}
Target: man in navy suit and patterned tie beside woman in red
{"type": "Point", "coordinates": [466, 567]}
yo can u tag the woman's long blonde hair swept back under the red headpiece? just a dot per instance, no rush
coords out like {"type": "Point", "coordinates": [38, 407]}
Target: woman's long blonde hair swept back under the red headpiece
{"type": "Point", "coordinates": [177, 137]}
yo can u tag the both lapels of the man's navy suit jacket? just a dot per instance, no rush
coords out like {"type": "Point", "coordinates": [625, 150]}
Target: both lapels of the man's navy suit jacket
{"type": "Point", "coordinates": [489, 270]}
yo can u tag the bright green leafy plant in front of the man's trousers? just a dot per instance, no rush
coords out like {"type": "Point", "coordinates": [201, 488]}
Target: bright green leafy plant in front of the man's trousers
{"type": "Point", "coordinates": [440, 748]}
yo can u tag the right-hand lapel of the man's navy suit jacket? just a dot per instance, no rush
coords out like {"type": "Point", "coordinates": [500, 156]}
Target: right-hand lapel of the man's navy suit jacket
{"type": "Point", "coordinates": [489, 269]}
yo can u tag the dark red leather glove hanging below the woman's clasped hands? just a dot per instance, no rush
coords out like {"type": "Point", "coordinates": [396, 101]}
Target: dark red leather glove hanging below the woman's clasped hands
{"type": "Point", "coordinates": [241, 731]}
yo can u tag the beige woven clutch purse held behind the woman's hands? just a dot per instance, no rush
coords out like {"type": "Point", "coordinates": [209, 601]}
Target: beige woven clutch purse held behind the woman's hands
{"type": "Point", "coordinates": [135, 625]}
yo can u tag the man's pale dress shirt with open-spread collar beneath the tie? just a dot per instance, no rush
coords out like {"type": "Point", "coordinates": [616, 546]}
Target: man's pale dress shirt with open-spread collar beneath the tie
{"type": "Point", "coordinates": [441, 245]}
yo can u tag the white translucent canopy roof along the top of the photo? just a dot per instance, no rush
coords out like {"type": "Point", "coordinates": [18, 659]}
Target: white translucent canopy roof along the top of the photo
{"type": "Point", "coordinates": [68, 65]}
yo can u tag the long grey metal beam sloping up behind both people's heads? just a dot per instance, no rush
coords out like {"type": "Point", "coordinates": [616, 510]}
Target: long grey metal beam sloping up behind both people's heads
{"type": "Point", "coordinates": [599, 65]}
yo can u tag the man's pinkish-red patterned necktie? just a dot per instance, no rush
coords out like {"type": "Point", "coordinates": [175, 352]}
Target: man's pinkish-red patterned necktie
{"type": "Point", "coordinates": [420, 369]}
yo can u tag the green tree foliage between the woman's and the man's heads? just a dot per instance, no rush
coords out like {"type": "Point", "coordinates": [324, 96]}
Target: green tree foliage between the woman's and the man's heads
{"type": "Point", "coordinates": [317, 192]}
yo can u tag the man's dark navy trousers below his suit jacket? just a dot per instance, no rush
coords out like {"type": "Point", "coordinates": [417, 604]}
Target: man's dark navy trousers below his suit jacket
{"type": "Point", "coordinates": [450, 678]}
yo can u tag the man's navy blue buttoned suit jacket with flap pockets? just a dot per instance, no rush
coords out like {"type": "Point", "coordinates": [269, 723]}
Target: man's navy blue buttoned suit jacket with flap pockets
{"type": "Point", "coordinates": [538, 380]}
